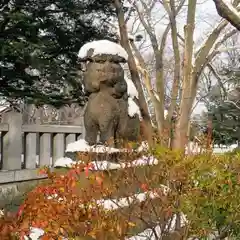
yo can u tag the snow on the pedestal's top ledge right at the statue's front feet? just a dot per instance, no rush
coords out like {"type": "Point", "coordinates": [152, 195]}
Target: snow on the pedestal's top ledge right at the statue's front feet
{"type": "Point", "coordinates": [82, 146]}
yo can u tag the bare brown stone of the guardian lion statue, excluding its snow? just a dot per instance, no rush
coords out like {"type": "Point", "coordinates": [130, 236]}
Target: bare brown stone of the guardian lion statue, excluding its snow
{"type": "Point", "coordinates": [107, 108]}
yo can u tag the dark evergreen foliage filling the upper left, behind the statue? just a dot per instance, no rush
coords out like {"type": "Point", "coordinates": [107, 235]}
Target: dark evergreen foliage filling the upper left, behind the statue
{"type": "Point", "coordinates": [39, 41]}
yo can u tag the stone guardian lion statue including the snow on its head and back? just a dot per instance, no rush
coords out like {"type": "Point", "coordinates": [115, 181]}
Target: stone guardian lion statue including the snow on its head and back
{"type": "Point", "coordinates": [111, 110]}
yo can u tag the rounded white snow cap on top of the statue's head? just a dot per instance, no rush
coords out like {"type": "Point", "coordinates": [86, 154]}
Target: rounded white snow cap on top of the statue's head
{"type": "Point", "coordinates": [102, 47]}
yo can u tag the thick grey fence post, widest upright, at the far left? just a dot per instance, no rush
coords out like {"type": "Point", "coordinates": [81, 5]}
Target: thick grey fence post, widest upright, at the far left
{"type": "Point", "coordinates": [12, 142]}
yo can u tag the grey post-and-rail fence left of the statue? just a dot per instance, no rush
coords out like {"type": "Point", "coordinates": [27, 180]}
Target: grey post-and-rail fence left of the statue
{"type": "Point", "coordinates": [25, 148]}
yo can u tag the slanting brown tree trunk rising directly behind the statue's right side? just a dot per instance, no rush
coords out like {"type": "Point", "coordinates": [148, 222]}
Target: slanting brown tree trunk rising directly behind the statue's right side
{"type": "Point", "coordinates": [147, 129]}
